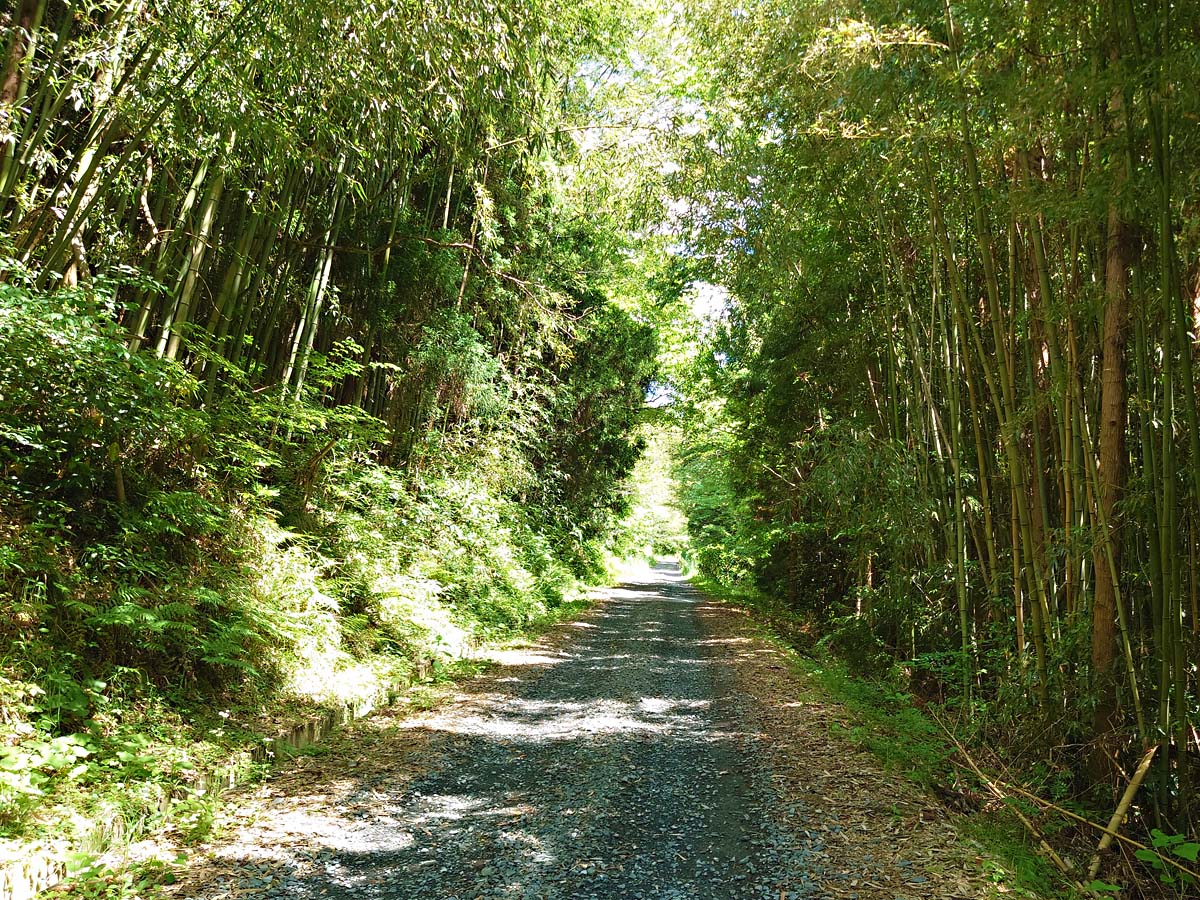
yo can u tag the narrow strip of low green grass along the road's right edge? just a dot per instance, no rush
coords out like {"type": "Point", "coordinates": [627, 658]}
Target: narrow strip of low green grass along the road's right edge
{"type": "Point", "coordinates": [886, 722]}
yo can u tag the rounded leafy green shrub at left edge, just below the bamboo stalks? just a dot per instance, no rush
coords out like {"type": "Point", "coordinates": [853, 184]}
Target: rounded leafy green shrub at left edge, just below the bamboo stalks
{"type": "Point", "coordinates": [75, 403]}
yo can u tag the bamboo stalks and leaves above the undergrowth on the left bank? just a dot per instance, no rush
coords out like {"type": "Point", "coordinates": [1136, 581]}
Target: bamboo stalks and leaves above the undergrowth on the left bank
{"type": "Point", "coordinates": [280, 169]}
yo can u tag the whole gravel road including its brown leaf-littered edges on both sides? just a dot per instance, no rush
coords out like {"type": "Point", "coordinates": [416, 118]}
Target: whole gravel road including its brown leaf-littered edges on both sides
{"type": "Point", "coordinates": [653, 749]}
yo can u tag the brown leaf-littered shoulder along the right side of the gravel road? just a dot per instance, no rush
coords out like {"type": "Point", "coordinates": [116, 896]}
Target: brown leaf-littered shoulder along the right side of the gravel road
{"type": "Point", "coordinates": [884, 838]}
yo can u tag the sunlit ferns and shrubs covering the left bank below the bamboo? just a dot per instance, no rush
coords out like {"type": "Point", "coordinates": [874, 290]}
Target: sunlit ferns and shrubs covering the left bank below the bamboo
{"type": "Point", "coordinates": [183, 580]}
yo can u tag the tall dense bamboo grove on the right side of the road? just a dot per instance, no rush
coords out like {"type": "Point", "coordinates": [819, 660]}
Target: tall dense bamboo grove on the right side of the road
{"type": "Point", "coordinates": [953, 401]}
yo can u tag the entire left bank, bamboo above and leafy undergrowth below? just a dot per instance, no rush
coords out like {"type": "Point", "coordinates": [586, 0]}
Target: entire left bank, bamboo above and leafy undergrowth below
{"type": "Point", "coordinates": [315, 361]}
